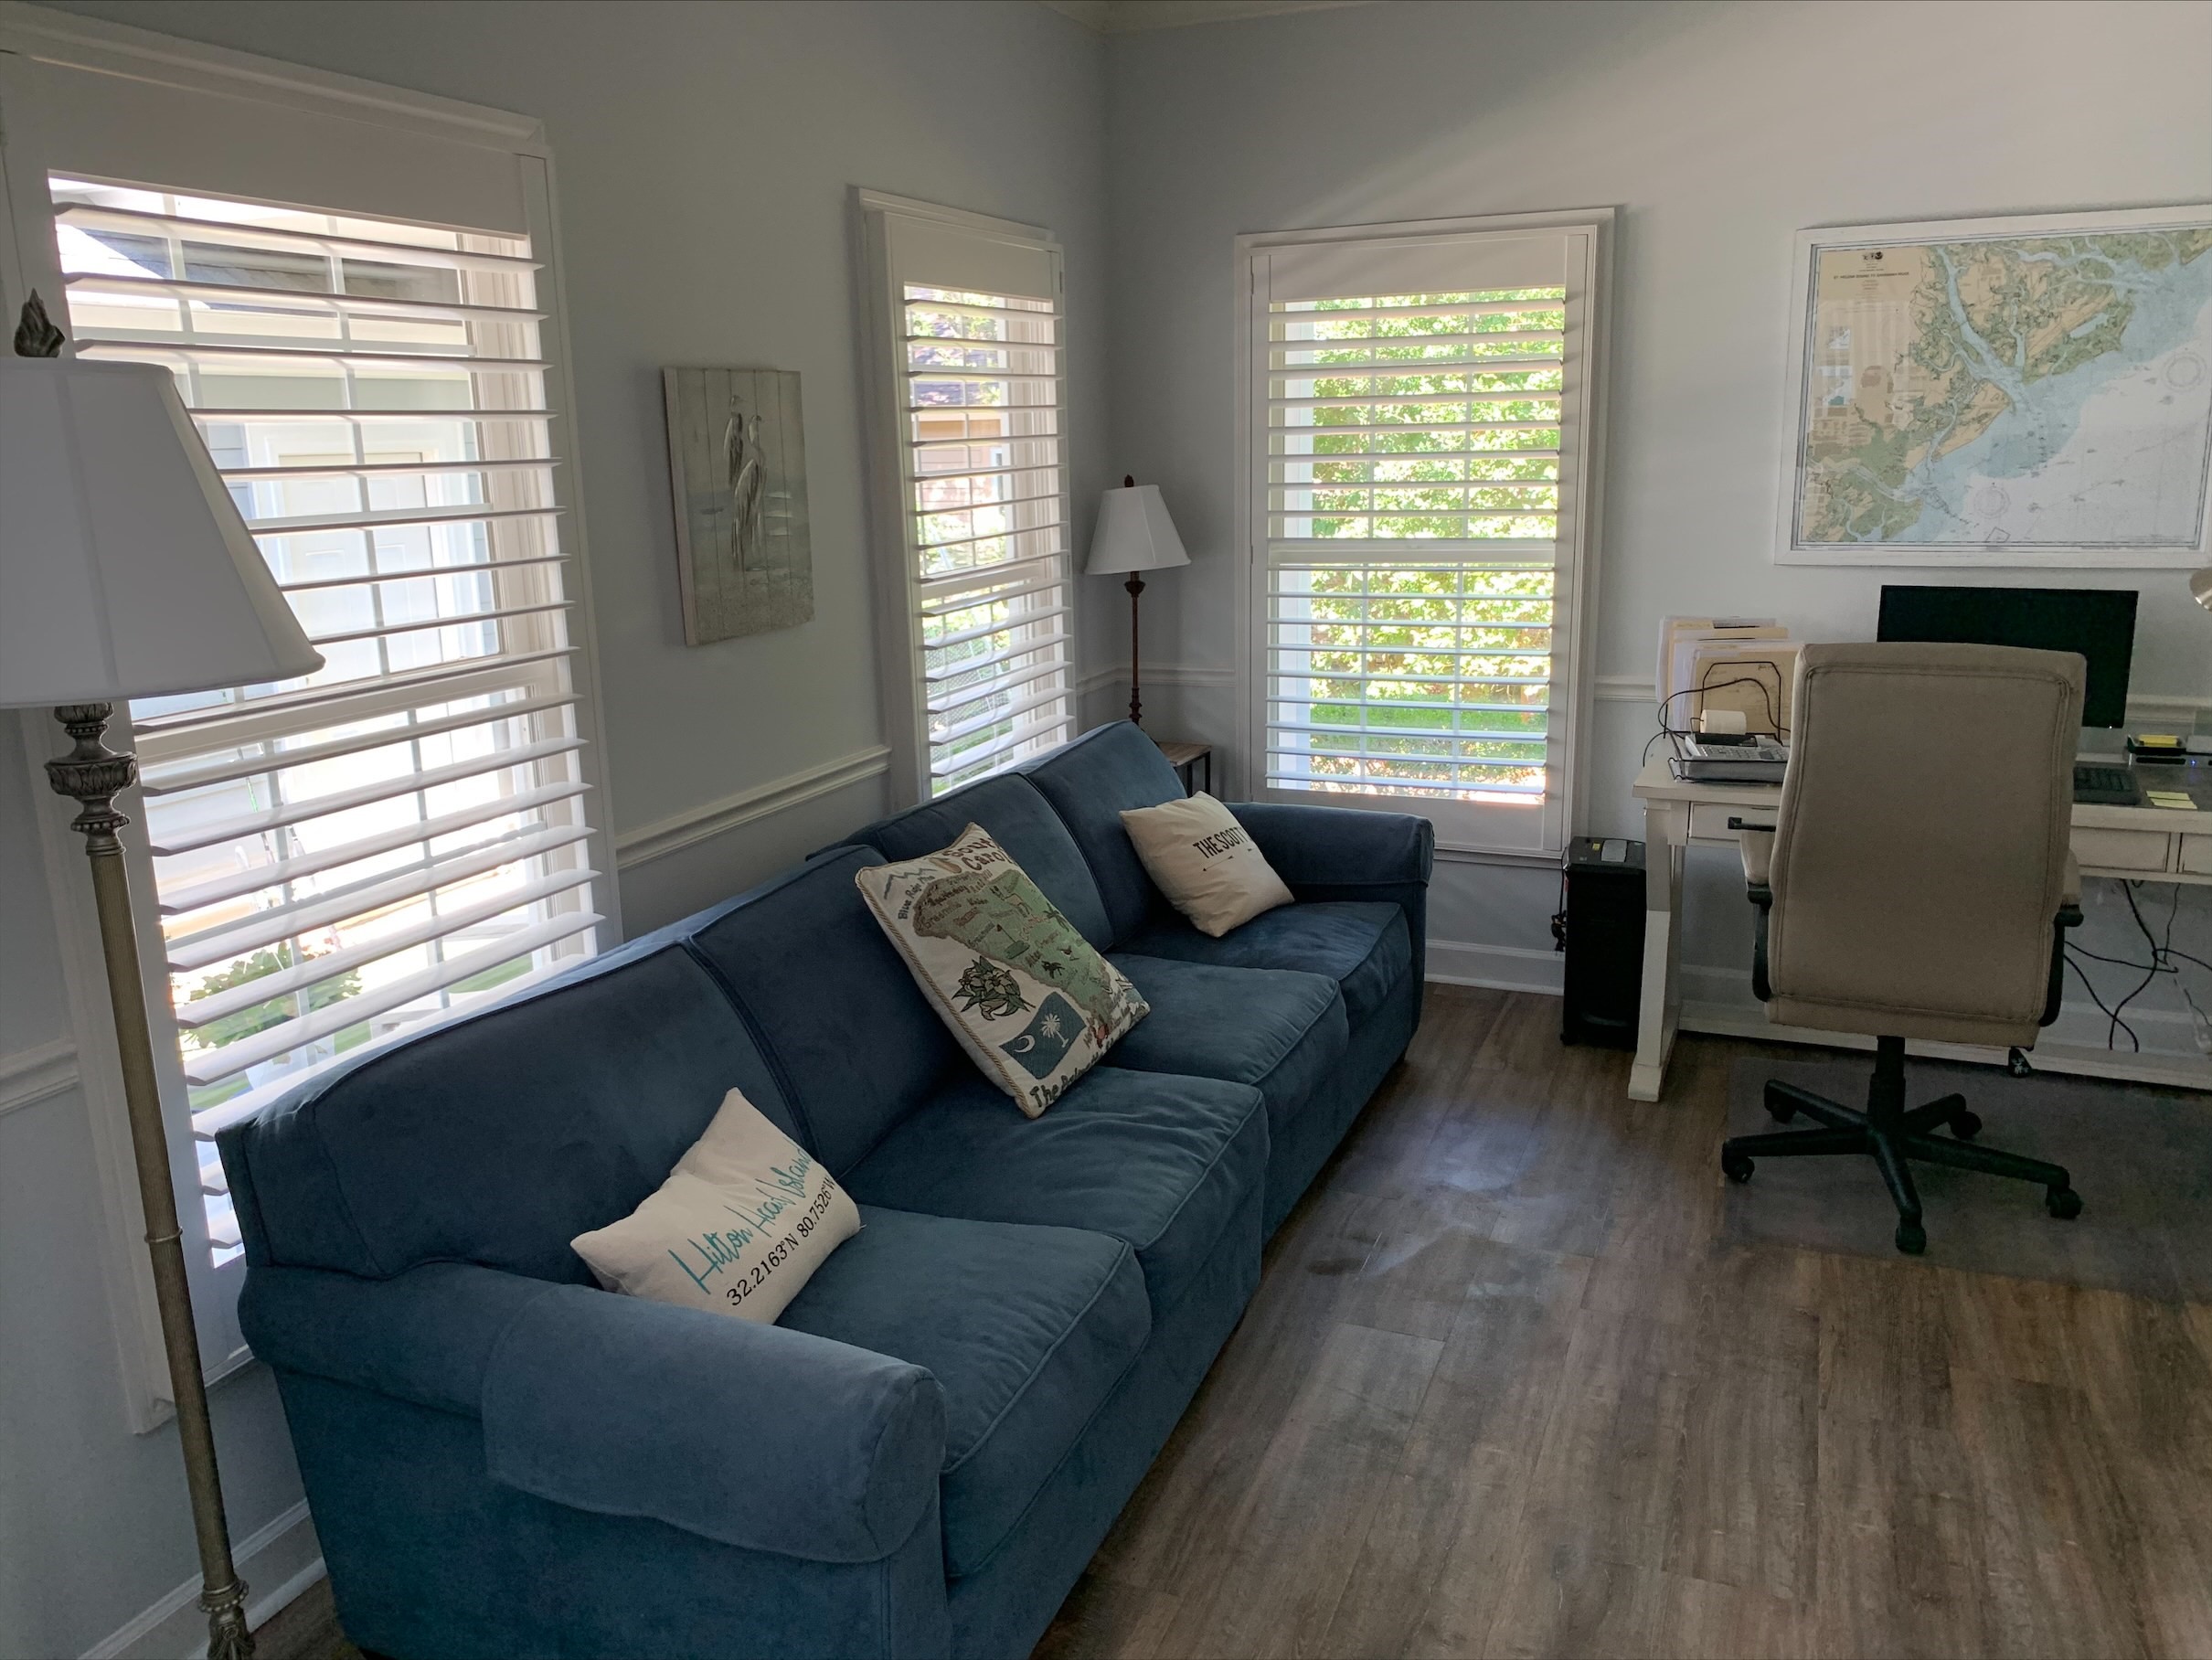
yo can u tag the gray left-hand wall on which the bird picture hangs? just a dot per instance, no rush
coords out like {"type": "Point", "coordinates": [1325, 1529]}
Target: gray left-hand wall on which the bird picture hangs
{"type": "Point", "coordinates": [705, 158]}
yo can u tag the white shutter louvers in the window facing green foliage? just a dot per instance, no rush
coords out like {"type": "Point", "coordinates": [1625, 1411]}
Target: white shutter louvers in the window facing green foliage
{"type": "Point", "coordinates": [1412, 535]}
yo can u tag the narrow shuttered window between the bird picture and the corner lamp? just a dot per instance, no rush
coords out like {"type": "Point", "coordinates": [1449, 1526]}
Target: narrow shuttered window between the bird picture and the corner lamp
{"type": "Point", "coordinates": [970, 442]}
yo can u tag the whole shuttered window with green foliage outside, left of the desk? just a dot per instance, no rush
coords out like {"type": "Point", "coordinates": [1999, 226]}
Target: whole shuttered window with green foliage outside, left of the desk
{"type": "Point", "coordinates": [1421, 457]}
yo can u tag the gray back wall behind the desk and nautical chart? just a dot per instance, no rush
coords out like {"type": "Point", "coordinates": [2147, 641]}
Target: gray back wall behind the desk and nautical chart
{"type": "Point", "coordinates": [1718, 132]}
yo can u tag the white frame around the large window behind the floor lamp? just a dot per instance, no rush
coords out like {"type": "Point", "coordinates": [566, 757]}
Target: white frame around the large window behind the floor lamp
{"type": "Point", "coordinates": [28, 260]}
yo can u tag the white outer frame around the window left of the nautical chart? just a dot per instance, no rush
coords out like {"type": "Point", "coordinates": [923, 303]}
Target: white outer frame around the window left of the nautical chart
{"type": "Point", "coordinates": [1580, 519]}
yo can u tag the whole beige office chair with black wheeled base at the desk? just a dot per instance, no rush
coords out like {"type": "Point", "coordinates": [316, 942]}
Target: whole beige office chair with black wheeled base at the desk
{"type": "Point", "coordinates": [1917, 884]}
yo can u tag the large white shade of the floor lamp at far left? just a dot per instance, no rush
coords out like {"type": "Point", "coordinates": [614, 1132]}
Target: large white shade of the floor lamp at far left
{"type": "Point", "coordinates": [125, 568]}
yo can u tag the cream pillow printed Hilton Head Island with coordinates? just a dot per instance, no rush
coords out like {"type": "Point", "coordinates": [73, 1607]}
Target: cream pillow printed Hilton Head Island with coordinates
{"type": "Point", "coordinates": [740, 1225]}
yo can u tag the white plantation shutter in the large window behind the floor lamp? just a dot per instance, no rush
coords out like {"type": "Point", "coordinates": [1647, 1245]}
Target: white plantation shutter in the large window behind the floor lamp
{"type": "Point", "coordinates": [404, 833]}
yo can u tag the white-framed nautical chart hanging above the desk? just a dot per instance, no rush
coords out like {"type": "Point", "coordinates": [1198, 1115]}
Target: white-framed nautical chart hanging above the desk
{"type": "Point", "coordinates": [2032, 391]}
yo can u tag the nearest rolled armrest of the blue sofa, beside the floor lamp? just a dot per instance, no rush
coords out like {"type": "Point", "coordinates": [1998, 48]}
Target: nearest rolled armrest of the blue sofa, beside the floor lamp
{"type": "Point", "coordinates": [751, 1435]}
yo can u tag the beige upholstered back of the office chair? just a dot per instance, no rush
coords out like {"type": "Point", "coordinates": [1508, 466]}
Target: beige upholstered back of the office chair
{"type": "Point", "coordinates": [1921, 849]}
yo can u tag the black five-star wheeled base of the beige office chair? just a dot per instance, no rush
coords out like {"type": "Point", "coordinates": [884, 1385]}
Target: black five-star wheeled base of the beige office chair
{"type": "Point", "coordinates": [1892, 1137]}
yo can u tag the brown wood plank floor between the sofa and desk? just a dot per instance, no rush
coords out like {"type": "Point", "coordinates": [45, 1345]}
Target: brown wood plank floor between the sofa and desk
{"type": "Point", "coordinates": [1505, 1393]}
